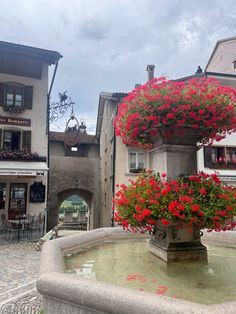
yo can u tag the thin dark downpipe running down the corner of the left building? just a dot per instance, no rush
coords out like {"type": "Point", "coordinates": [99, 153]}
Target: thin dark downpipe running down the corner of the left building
{"type": "Point", "coordinates": [47, 132]}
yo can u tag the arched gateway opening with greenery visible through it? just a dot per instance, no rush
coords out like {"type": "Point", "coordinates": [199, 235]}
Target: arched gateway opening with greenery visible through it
{"type": "Point", "coordinates": [74, 213]}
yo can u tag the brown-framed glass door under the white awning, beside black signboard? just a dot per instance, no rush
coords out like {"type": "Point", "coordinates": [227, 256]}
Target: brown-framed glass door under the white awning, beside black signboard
{"type": "Point", "coordinates": [17, 200]}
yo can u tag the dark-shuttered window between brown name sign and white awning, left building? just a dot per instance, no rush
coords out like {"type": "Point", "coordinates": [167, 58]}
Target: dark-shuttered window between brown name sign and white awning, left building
{"type": "Point", "coordinates": [15, 140]}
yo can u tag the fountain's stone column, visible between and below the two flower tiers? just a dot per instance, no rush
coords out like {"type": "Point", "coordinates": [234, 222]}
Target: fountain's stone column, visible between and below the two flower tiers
{"type": "Point", "coordinates": [176, 156]}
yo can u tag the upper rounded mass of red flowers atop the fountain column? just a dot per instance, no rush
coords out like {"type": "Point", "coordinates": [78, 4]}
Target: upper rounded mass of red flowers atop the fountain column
{"type": "Point", "coordinates": [164, 108]}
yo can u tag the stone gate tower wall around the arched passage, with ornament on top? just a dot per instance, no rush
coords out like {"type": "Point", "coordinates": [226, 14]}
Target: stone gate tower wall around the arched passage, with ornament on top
{"type": "Point", "coordinates": [74, 170]}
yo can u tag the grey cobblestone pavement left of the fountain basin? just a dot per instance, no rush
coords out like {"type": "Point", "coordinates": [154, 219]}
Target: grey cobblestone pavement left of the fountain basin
{"type": "Point", "coordinates": [19, 264]}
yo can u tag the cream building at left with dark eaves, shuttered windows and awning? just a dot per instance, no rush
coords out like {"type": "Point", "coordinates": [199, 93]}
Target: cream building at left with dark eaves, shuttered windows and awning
{"type": "Point", "coordinates": [23, 128]}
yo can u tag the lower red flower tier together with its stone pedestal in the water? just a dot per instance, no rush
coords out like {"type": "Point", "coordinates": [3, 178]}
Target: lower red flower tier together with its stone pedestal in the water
{"type": "Point", "coordinates": [175, 211]}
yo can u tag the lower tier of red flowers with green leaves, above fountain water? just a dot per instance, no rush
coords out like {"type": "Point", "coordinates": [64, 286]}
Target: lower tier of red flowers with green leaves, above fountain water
{"type": "Point", "coordinates": [201, 200]}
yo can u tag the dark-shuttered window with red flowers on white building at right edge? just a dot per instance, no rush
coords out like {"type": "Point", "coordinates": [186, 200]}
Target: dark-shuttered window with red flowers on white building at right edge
{"type": "Point", "coordinates": [220, 157]}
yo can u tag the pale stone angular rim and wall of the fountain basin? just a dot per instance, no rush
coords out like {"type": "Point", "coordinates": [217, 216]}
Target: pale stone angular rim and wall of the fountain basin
{"type": "Point", "coordinates": [68, 293]}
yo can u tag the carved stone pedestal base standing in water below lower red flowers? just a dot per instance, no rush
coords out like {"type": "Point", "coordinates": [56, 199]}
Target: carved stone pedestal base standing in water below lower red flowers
{"type": "Point", "coordinates": [173, 243]}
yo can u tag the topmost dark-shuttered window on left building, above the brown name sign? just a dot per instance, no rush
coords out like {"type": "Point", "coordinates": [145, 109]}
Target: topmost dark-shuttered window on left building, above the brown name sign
{"type": "Point", "coordinates": [17, 96]}
